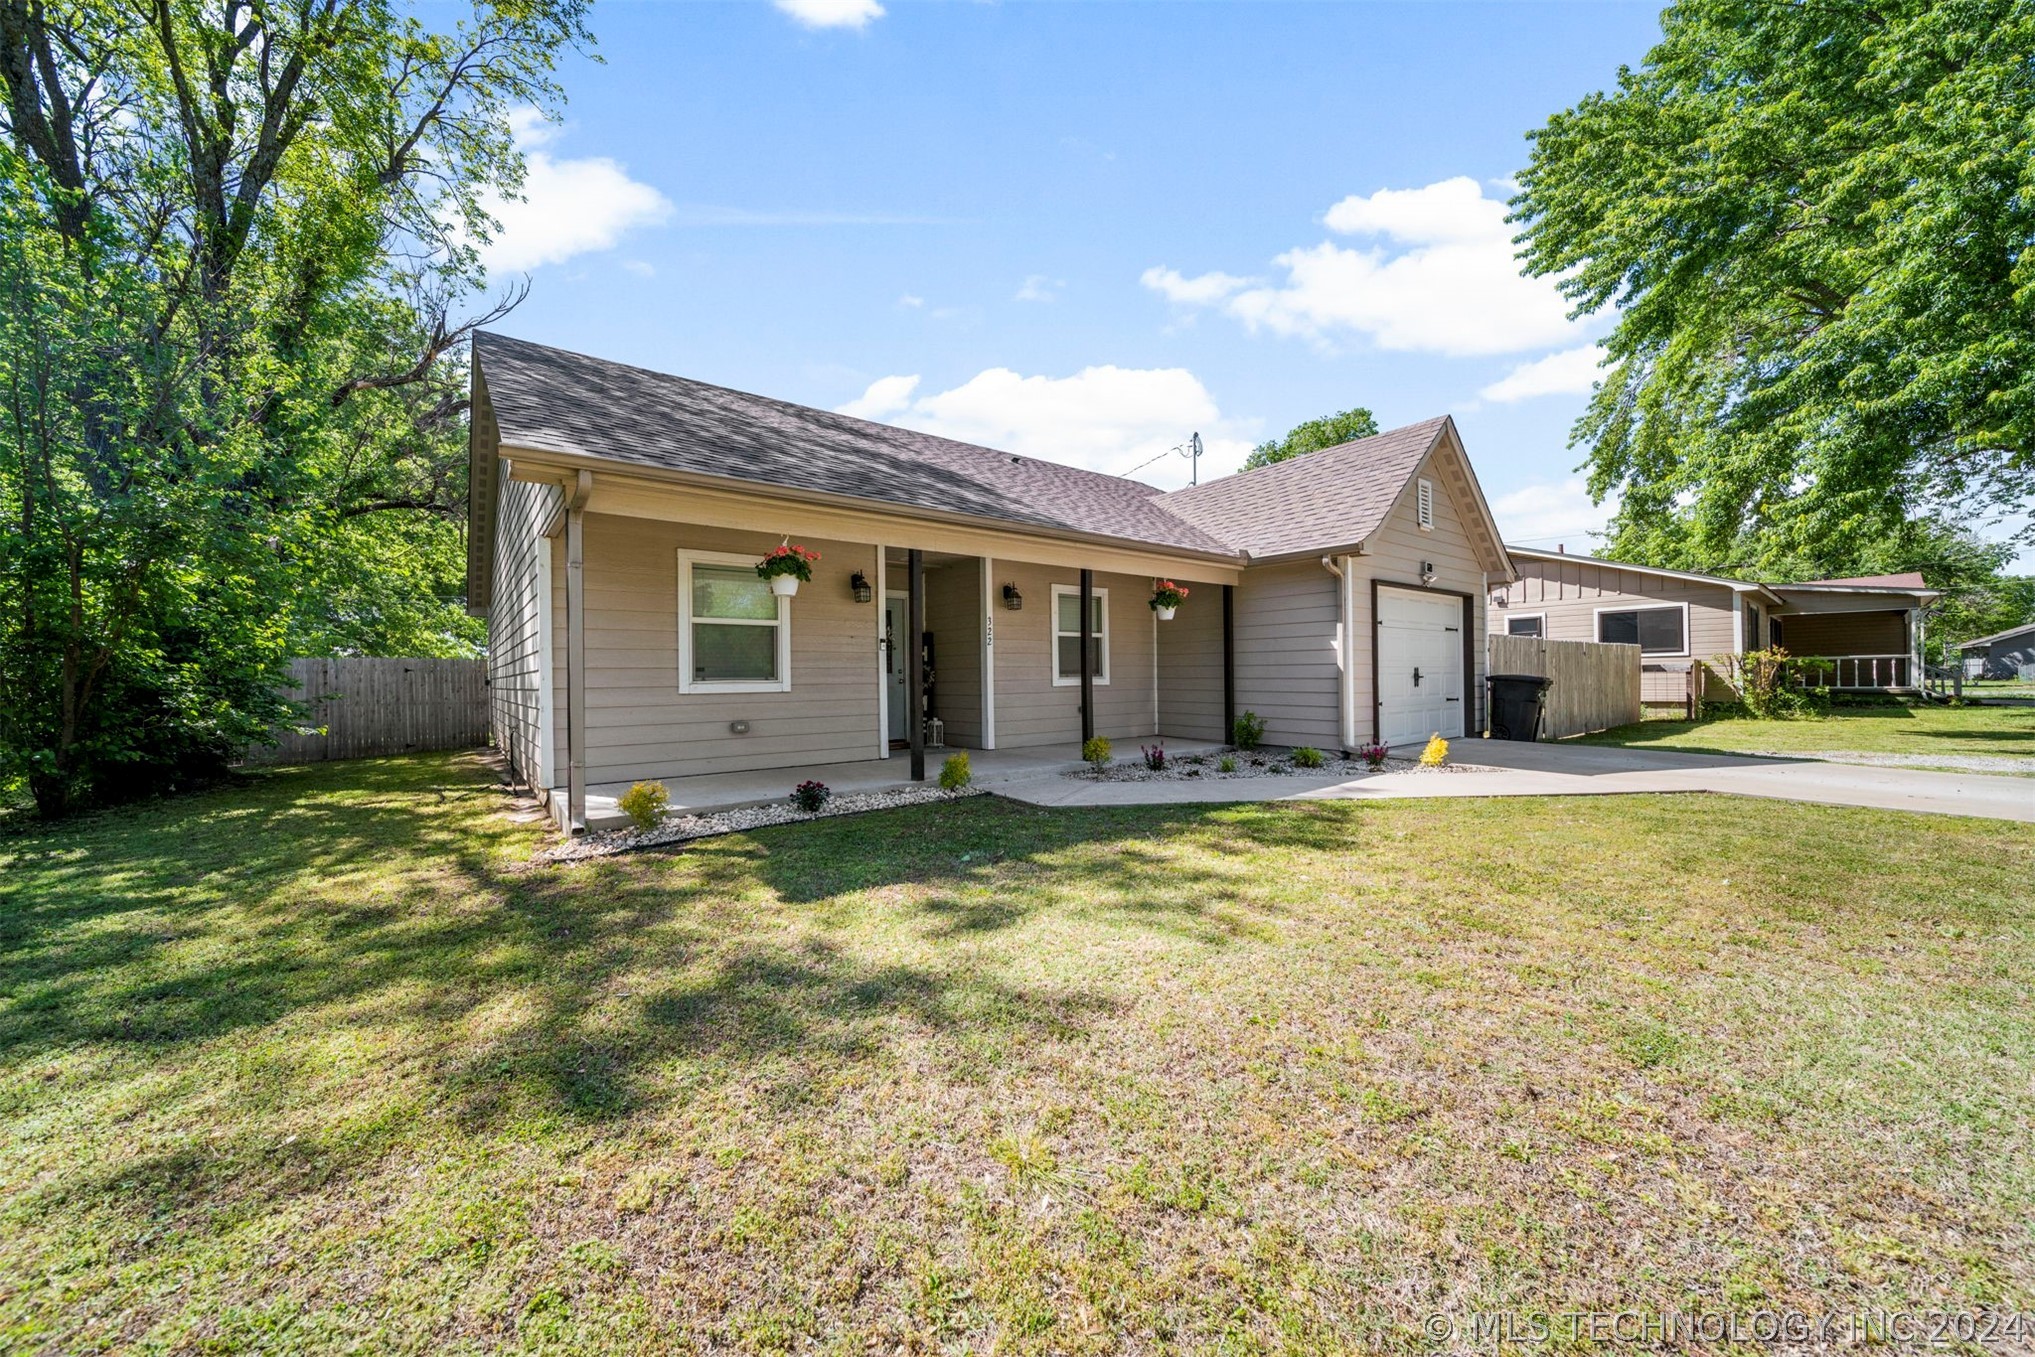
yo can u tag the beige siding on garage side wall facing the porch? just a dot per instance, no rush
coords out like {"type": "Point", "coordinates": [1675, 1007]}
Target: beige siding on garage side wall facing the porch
{"type": "Point", "coordinates": [1289, 664]}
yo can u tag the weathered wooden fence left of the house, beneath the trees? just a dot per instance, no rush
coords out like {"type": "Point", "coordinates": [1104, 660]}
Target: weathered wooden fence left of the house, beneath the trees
{"type": "Point", "coordinates": [365, 707]}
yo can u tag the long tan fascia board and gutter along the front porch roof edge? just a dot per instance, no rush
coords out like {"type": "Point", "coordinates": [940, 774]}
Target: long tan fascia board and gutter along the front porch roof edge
{"type": "Point", "coordinates": [728, 501]}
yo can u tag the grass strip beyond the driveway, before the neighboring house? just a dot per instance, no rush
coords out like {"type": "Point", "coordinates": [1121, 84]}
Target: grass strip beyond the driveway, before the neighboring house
{"type": "Point", "coordinates": [1849, 729]}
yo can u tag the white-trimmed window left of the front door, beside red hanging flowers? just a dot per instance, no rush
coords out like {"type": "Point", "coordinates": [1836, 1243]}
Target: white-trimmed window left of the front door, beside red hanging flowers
{"type": "Point", "coordinates": [734, 632]}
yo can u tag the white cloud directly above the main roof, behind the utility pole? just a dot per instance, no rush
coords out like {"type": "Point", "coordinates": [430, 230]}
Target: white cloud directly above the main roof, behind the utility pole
{"type": "Point", "coordinates": [1106, 418]}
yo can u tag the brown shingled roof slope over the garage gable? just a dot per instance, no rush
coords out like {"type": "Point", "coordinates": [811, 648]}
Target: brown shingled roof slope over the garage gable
{"type": "Point", "coordinates": [1326, 499]}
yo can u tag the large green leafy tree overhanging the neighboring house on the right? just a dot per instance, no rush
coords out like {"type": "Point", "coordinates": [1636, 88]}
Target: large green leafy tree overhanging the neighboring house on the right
{"type": "Point", "coordinates": [1816, 225]}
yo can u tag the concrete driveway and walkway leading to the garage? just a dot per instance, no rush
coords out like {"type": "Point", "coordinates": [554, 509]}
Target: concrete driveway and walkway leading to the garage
{"type": "Point", "coordinates": [1582, 770]}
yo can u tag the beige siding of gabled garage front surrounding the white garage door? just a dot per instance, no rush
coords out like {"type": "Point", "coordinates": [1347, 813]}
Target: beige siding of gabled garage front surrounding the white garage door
{"type": "Point", "coordinates": [1393, 556]}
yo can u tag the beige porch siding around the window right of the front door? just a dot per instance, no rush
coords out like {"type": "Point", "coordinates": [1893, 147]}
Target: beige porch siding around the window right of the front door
{"type": "Point", "coordinates": [1031, 709]}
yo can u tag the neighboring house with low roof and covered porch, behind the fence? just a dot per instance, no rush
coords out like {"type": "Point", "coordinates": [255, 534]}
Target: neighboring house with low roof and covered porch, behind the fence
{"type": "Point", "coordinates": [1690, 628]}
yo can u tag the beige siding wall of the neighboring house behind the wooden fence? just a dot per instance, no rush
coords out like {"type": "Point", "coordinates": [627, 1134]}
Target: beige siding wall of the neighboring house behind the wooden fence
{"type": "Point", "coordinates": [1572, 593]}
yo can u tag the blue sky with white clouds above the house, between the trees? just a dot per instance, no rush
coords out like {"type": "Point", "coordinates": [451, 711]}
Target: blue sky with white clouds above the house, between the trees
{"type": "Point", "coordinates": [1080, 231]}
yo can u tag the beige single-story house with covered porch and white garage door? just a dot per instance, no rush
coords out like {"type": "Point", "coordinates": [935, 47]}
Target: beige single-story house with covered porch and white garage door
{"type": "Point", "coordinates": [618, 514]}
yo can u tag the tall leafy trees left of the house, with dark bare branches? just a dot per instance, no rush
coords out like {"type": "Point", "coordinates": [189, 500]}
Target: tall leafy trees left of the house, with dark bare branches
{"type": "Point", "coordinates": [235, 239]}
